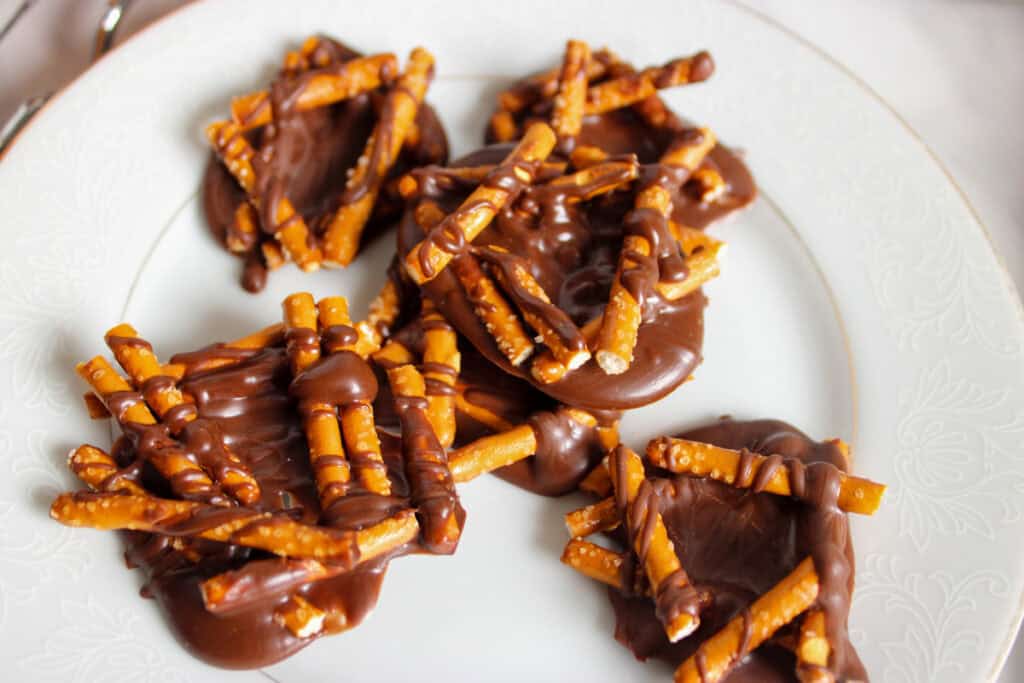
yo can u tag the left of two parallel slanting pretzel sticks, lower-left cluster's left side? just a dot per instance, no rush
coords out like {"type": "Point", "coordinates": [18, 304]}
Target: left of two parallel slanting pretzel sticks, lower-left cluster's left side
{"type": "Point", "coordinates": [187, 479]}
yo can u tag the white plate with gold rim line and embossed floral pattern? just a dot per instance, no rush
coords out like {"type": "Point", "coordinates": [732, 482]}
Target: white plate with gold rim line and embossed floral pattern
{"type": "Point", "coordinates": [861, 300]}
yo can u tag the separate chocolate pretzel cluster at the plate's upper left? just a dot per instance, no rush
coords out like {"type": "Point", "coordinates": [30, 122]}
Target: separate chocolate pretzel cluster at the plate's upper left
{"type": "Point", "coordinates": [302, 170]}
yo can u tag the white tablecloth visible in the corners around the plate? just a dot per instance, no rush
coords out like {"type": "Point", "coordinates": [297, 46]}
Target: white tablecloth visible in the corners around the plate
{"type": "Point", "coordinates": [954, 70]}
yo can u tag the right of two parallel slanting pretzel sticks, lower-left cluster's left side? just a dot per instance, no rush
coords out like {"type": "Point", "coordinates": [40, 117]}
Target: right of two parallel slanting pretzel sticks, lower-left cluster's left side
{"type": "Point", "coordinates": [136, 356]}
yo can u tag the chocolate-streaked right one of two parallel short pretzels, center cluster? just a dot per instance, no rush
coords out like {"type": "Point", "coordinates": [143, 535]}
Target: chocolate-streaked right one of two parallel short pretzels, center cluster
{"type": "Point", "coordinates": [554, 327]}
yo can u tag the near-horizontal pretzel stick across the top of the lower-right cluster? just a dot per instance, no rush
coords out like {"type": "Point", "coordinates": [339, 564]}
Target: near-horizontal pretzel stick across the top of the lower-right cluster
{"type": "Point", "coordinates": [750, 471]}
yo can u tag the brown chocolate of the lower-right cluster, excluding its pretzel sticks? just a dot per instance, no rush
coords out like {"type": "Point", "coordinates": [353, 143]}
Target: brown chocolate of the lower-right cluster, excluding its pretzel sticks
{"type": "Point", "coordinates": [736, 544]}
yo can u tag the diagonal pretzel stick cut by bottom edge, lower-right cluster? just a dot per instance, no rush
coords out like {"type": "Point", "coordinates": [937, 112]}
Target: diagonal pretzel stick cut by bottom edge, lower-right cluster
{"type": "Point", "coordinates": [717, 656]}
